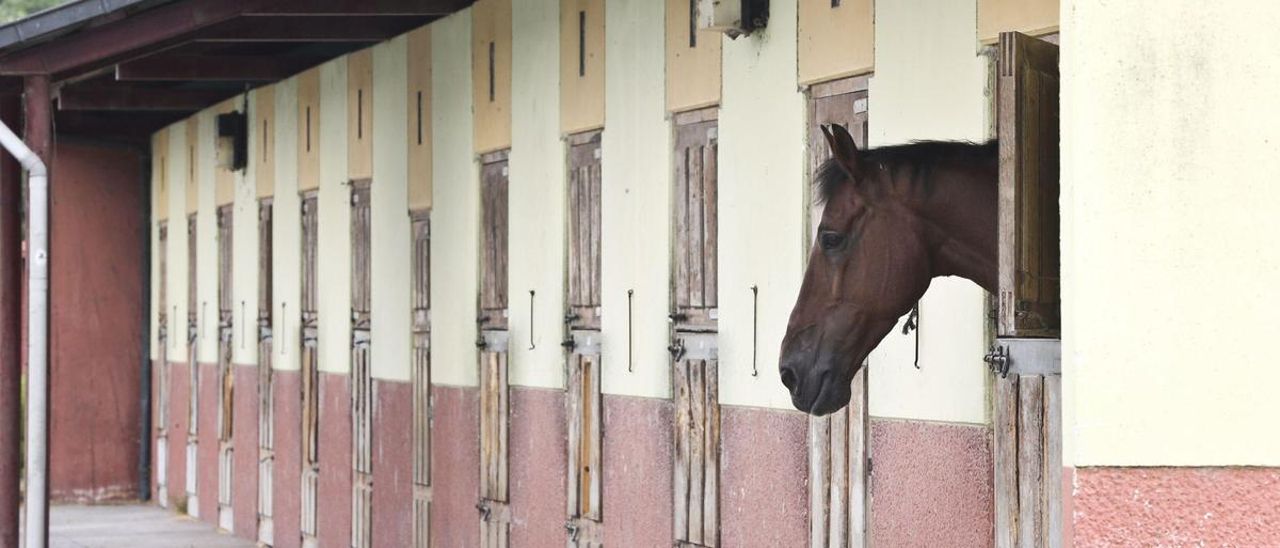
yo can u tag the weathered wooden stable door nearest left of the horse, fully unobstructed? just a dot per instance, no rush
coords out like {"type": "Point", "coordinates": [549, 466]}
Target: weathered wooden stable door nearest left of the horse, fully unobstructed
{"type": "Point", "coordinates": [694, 318]}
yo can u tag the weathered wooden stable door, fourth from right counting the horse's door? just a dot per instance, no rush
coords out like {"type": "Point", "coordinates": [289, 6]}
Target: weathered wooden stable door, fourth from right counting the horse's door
{"type": "Point", "coordinates": [583, 319]}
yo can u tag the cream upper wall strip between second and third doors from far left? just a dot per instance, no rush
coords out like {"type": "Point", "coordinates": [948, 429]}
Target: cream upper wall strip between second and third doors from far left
{"type": "Point", "coordinates": [207, 239]}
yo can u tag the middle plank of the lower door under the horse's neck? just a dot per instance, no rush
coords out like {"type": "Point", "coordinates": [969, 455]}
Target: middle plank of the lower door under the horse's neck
{"type": "Point", "coordinates": [1031, 462]}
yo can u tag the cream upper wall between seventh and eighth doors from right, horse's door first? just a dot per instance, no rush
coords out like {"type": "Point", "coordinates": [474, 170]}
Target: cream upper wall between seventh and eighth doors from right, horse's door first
{"type": "Point", "coordinates": [333, 259]}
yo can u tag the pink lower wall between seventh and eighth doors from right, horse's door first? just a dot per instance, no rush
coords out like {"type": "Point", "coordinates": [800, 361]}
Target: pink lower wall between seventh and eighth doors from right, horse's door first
{"type": "Point", "coordinates": [333, 505]}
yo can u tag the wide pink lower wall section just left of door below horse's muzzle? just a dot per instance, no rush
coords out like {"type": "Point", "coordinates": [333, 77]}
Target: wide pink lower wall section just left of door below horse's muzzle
{"type": "Point", "coordinates": [765, 472]}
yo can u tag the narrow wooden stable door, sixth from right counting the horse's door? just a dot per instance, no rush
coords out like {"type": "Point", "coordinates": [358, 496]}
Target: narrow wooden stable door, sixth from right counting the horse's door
{"type": "Point", "coordinates": [420, 376]}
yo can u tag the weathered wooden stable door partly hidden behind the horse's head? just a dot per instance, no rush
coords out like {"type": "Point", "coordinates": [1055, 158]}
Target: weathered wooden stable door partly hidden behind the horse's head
{"type": "Point", "coordinates": [839, 497]}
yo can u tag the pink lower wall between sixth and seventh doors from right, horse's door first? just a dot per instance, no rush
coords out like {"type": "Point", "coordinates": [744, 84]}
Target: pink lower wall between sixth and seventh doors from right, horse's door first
{"type": "Point", "coordinates": [394, 464]}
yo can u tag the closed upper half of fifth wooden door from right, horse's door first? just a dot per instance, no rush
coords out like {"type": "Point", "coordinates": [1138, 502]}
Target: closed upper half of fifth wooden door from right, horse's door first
{"type": "Point", "coordinates": [493, 244]}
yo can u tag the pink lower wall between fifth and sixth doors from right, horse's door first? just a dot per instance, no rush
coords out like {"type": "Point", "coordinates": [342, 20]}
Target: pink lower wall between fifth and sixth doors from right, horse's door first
{"type": "Point", "coordinates": [455, 467]}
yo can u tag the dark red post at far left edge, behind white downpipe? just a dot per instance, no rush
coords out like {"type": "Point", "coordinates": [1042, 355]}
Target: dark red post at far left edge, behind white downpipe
{"type": "Point", "coordinates": [11, 327]}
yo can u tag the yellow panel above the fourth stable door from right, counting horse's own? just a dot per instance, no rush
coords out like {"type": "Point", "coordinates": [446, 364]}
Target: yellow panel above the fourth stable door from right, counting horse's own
{"type": "Point", "coordinates": [582, 65]}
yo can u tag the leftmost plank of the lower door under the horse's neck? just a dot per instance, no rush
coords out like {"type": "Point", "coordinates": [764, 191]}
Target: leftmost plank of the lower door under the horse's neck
{"type": "Point", "coordinates": [1005, 460]}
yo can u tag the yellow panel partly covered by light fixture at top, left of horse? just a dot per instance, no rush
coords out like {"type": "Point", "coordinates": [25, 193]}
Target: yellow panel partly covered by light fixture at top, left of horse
{"type": "Point", "coordinates": [693, 62]}
